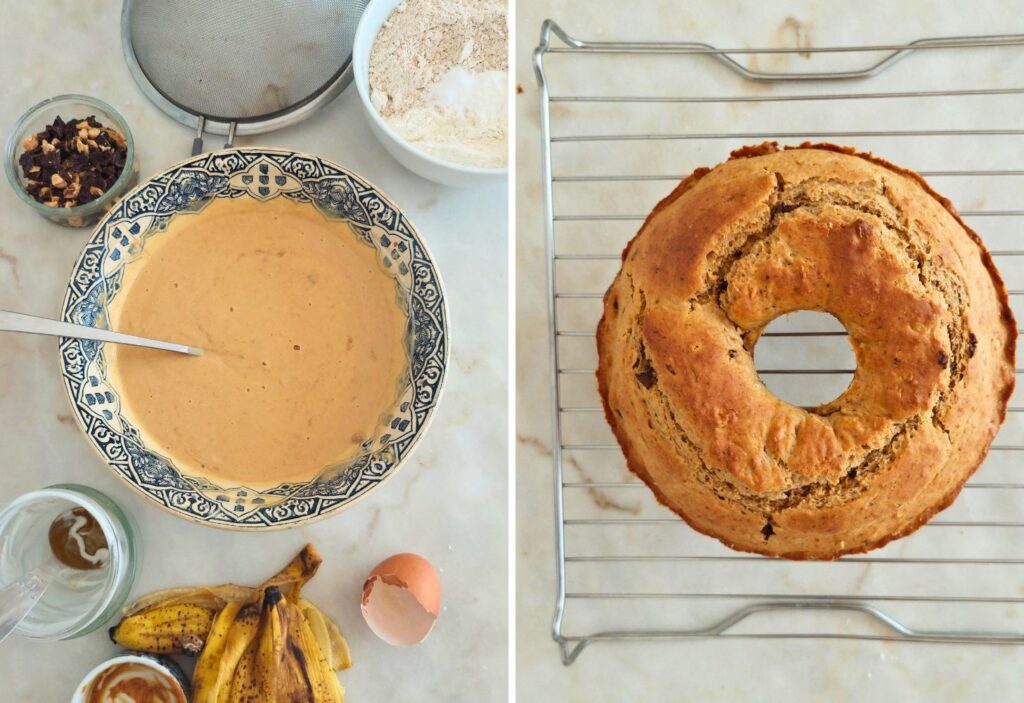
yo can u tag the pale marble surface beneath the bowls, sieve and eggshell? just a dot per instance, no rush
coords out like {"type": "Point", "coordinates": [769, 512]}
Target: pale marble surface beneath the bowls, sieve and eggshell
{"type": "Point", "coordinates": [449, 504]}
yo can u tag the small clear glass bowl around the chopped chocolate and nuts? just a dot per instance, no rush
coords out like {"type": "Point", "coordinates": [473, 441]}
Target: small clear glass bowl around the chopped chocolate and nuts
{"type": "Point", "coordinates": [70, 108]}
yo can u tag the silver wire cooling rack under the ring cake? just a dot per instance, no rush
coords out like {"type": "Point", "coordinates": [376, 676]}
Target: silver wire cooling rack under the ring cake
{"type": "Point", "coordinates": [622, 123]}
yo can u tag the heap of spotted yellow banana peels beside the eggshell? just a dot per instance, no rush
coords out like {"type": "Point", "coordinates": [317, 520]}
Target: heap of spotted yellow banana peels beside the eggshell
{"type": "Point", "coordinates": [265, 644]}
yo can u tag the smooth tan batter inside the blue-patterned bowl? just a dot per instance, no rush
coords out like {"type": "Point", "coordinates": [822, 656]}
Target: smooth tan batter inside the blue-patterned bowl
{"type": "Point", "coordinates": [305, 340]}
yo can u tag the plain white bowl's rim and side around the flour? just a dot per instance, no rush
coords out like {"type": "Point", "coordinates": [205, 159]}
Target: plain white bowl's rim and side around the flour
{"type": "Point", "coordinates": [432, 168]}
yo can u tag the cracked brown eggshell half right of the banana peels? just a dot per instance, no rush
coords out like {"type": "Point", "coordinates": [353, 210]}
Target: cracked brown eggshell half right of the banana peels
{"type": "Point", "coordinates": [402, 599]}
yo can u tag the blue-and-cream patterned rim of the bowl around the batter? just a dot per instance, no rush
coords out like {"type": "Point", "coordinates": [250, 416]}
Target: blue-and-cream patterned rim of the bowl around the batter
{"type": "Point", "coordinates": [263, 174]}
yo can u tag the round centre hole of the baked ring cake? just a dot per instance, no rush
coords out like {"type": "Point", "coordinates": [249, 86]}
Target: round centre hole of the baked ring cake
{"type": "Point", "coordinates": [805, 359]}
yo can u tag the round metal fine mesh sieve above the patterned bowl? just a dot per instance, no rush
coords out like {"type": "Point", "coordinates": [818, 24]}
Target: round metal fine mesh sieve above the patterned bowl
{"type": "Point", "coordinates": [240, 66]}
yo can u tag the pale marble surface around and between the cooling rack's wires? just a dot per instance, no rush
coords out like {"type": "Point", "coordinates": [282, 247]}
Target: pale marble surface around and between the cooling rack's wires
{"type": "Point", "coordinates": [737, 670]}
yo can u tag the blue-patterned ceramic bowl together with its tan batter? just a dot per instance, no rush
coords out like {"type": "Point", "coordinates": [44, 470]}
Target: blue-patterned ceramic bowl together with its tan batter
{"type": "Point", "coordinates": [323, 323]}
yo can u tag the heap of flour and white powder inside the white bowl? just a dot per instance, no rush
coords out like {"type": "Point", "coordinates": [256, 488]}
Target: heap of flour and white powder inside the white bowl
{"type": "Point", "coordinates": [439, 76]}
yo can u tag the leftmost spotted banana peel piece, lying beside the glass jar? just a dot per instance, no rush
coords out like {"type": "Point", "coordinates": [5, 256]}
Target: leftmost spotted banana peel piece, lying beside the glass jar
{"type": "Point", "coordinates": [168, 630]}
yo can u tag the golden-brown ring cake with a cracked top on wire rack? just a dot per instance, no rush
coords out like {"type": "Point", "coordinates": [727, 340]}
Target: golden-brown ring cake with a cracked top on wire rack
{"type": "Point", "coordinates": [816, 228]}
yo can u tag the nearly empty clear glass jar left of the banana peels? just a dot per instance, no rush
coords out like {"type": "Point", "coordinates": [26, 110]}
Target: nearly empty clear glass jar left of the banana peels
{"type": "Point", "coordinates": [76, 601]}
